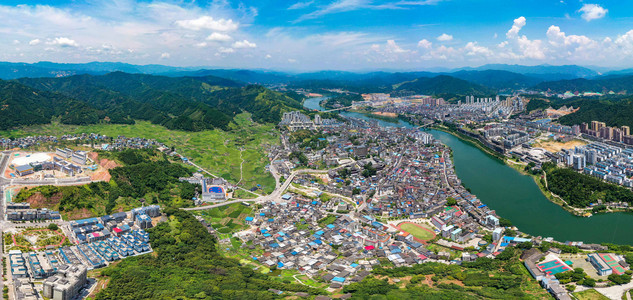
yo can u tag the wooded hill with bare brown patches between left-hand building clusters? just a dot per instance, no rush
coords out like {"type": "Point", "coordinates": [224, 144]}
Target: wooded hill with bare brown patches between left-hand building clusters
{"type": "Point", "coordinates": [146, 174]}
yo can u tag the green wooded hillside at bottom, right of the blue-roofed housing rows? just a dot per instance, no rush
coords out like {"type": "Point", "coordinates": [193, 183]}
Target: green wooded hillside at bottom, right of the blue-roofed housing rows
{"type": "Point", "coordinates": [187, 266]}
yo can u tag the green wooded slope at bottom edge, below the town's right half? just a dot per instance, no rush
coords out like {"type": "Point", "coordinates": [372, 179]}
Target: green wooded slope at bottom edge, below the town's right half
{"type": "Point", "coordinates": [501, 278]}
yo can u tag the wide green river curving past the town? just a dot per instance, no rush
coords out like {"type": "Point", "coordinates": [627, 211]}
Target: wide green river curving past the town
{"type": "Point", "coordinates": [516, 197]}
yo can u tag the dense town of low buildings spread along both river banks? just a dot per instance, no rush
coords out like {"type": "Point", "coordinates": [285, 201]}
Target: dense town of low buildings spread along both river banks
{"type": "Point", "coordinates": [352, 196]}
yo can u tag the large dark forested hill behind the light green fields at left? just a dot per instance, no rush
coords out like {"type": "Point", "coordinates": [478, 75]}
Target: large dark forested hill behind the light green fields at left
{"type": "Point", "coordinates": [184, 103]}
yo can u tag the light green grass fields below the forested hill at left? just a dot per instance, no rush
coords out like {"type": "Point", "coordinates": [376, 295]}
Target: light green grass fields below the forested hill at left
{"type": "Point", "coordinates": [215, 150]}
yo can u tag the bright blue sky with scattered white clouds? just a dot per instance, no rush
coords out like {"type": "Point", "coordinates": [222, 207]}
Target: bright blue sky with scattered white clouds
{"type": "Point", "coordinates": [320, 34]}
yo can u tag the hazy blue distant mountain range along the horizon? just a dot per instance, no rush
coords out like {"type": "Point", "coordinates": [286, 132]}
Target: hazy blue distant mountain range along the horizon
{"type": "Point", "coordinates": [480, 80]}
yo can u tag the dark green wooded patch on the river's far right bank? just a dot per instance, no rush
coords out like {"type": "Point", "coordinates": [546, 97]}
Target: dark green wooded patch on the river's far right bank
{"type": "Point", "coordinates": [580, 190]}
